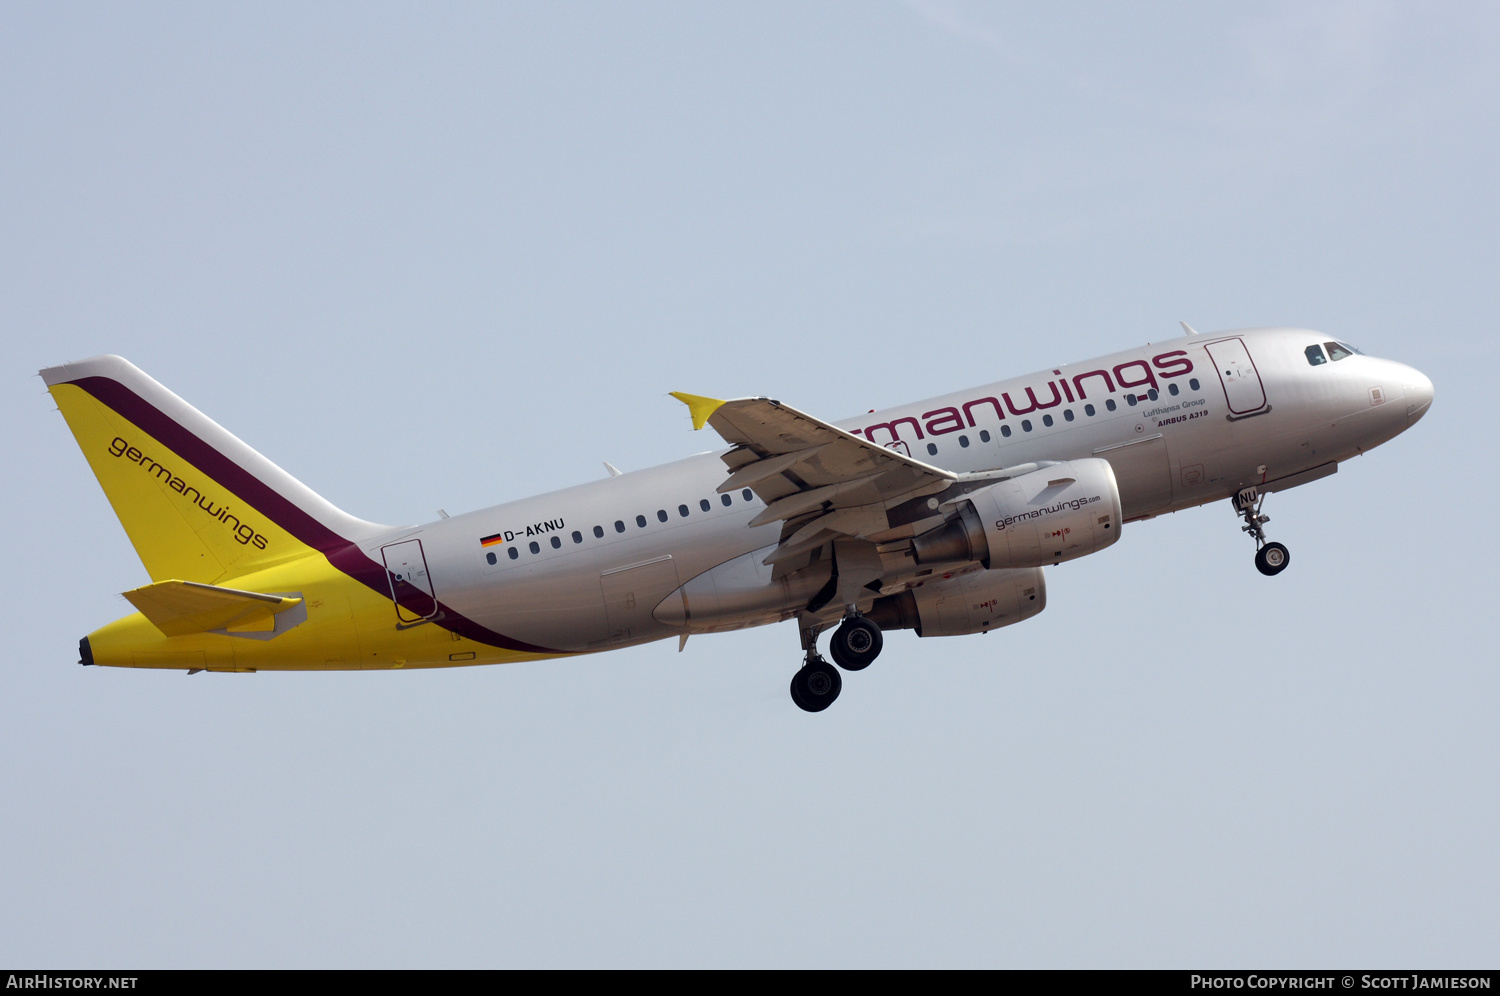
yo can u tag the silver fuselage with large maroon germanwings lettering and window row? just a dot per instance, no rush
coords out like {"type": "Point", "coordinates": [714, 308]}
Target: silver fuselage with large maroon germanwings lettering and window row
{"type": "Point", "coordinates": [1183, 424]}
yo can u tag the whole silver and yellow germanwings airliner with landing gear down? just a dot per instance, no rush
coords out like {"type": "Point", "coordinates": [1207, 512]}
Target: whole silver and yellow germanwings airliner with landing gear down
{"type": "Point", "coordinates": [940, 517]}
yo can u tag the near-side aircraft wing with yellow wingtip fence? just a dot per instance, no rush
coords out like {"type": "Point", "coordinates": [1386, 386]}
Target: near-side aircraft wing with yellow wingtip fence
{"type": "Point", "coordinates": [818, 479]}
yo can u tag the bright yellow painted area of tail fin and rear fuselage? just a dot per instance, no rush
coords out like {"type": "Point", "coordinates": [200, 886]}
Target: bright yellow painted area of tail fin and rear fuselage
{"type": "Point", "coordinates": [190, 527]}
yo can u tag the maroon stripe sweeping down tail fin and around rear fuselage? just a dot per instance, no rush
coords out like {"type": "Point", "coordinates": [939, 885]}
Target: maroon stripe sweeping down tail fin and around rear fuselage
{"type": "Point", "coordinates": [346, 556]}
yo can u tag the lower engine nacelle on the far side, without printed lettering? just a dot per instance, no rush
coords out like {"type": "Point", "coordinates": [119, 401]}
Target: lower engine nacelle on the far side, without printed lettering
{"type": "Point", "coordinates": [977, 602]}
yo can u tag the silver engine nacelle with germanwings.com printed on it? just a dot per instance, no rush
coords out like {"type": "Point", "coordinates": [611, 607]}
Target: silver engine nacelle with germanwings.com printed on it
{"type": "Point", "coordinates": [1048, 517]}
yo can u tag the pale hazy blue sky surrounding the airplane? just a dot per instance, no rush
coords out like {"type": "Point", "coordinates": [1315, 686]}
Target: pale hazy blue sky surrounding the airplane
{"type": "Point", "coordinates": [446, 256]}
